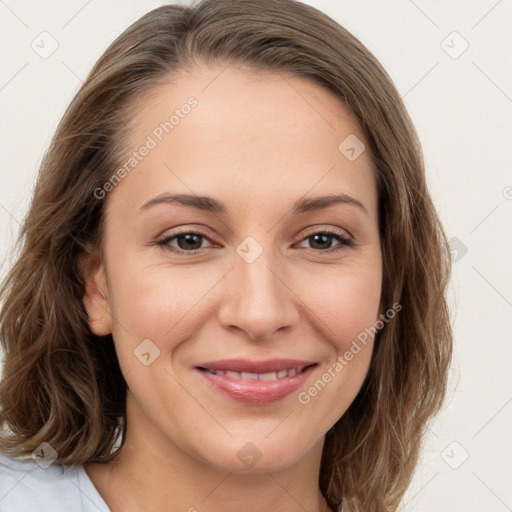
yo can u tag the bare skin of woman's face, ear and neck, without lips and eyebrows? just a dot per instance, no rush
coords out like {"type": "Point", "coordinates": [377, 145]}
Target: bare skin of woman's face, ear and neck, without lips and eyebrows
{"type": "Point", "coordinates": [256, 142]}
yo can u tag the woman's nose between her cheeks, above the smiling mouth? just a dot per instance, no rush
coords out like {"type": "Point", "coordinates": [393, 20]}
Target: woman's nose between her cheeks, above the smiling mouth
{"type": "Point", "coordinates": [257, 298]}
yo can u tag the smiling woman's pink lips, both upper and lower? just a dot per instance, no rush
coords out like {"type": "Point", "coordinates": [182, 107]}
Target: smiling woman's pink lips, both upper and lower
{"type": "Point", "coordinates": [256, 392]}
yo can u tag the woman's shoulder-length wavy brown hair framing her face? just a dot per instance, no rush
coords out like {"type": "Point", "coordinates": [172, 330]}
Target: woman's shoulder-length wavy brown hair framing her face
{"type": "Point", "coordinates": [62, 384]}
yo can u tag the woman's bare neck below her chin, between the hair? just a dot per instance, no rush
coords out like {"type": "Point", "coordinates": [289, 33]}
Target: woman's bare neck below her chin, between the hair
{"type": "Point", "coordinates": [151, 473]}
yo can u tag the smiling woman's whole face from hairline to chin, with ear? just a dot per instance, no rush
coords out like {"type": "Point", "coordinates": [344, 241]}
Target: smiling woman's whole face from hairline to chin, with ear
{"type": "Point", "coordinates": [246, 272]}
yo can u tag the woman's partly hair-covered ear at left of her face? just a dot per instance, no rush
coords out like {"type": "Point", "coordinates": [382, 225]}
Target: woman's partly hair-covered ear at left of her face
{"type": "Point", "coordinates": [96, 294]}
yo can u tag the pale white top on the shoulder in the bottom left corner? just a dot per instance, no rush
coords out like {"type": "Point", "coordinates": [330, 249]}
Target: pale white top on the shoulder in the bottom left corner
{"type": "Point", "coordinates": [26, 486]}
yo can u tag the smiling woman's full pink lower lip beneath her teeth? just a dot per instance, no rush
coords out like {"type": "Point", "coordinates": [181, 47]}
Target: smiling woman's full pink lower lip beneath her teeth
{"type": "Point", "coordinates": [256, 392]}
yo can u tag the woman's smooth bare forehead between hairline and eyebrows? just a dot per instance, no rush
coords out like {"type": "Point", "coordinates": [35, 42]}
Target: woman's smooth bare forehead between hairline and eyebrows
{"type": "Point", "coordinates": [262, 134]}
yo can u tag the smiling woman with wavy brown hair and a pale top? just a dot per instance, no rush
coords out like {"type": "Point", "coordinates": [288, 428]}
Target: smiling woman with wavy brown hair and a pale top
{"type": "Point", "coordinates": [231, 286]}
